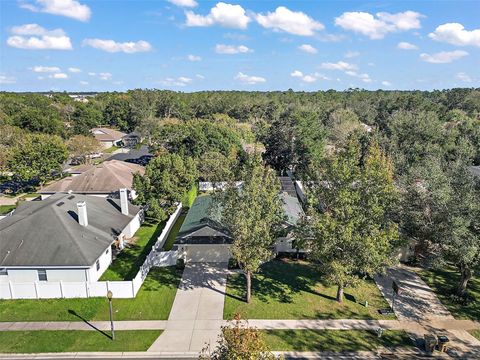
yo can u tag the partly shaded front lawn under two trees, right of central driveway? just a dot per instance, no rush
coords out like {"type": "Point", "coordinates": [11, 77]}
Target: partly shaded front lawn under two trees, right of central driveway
{"type": "Point", "coordinates": [286, 289]}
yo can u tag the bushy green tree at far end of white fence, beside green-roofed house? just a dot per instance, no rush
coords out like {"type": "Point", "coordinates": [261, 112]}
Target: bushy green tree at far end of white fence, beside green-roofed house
{"type": "Point", "coordinates": [166, 180]}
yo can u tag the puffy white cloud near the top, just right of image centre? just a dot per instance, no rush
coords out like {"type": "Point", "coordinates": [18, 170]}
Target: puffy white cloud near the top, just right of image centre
{"type": "Point", "coordinates": [292, 22]}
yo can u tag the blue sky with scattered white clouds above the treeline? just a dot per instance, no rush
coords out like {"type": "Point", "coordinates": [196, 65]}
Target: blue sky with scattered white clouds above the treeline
{"type": "Point", "coordinates": [192, 45]}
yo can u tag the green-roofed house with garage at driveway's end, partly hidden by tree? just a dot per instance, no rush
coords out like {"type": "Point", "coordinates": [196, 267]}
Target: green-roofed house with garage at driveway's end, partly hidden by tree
{"type": "Point", "coordinates": [202, 238]}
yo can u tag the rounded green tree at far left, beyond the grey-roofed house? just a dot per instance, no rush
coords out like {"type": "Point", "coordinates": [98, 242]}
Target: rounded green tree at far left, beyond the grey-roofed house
{"type": "Point", "coordinates": [37, 157]}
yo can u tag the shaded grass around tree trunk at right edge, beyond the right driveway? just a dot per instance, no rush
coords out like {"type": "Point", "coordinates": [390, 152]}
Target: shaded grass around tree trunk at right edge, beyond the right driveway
{"type": "Point", "coordinates": [443, 282]}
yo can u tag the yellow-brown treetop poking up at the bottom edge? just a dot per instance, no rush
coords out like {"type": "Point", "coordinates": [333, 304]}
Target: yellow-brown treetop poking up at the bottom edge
{"type": "Point", "coordinates": [238, 341]}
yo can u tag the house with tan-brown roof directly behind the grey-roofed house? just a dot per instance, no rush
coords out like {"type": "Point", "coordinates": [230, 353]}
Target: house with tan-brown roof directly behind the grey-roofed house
{"type": "Point", "coordinates": [102, 180]}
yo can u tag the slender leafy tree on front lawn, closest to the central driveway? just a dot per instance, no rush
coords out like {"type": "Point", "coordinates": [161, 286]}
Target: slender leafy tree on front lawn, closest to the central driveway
{"type": "Point", "coordinates": [253, 215]}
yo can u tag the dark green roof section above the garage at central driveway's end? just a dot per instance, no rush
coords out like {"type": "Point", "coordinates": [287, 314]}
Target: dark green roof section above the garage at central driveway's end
{"type": "Point", "coordinates": [200, 225]}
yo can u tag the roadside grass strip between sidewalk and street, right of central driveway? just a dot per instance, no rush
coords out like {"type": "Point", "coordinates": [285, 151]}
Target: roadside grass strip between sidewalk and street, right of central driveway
{"type": "Point", "coordinates": [333, 340]}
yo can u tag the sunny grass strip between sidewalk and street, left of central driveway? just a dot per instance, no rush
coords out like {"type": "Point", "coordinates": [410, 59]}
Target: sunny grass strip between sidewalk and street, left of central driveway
{"type": "Point", "coordinates": [73, 341]}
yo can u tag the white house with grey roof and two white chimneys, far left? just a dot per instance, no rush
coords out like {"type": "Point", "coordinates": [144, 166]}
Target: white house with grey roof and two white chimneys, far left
{"type": "Point", "coordinates": [66, 237]}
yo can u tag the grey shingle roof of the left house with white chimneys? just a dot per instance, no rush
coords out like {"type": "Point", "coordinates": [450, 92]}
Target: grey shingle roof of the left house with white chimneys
{"type": "Point", "coordinates": [47, 232]}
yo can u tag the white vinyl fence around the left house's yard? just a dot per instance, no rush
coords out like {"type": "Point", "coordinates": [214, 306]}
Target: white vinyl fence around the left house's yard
{"type": "Point", "coordinates": [83, 289]}
